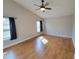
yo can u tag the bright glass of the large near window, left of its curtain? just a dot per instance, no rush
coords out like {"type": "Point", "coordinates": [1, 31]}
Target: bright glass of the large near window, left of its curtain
{"type": "Point", "coordinates": [6, 28]}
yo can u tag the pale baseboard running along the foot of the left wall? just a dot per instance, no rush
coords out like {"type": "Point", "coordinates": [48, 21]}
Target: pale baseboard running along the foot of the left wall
{"type": "Point", "coordinates": [22, 40]}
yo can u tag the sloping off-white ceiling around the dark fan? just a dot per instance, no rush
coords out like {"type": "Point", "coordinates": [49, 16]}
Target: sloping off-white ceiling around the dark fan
{"type": "Point", "coordinates": [59, 7]}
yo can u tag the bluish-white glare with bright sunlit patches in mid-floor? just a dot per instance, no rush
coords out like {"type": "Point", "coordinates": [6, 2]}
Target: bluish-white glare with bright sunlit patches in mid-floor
{"type": "Point", "coordinates": [40, 45]}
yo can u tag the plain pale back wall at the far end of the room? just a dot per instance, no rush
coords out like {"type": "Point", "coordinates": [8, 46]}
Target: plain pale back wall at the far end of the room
{"type": "Point", "coordinates": [61, 26]}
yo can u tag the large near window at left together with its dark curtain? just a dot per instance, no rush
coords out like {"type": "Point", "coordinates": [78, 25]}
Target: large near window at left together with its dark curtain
{"type": "Point", "coordinates": [9, 29]}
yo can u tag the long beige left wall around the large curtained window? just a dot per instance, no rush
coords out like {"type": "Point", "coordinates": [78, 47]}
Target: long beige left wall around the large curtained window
{"type": "Point", "coordinates": [25, 21]}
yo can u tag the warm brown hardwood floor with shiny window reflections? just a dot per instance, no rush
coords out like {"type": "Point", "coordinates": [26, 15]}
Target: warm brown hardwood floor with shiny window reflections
{"type": "Point", "coordinates": [42, 47]}
